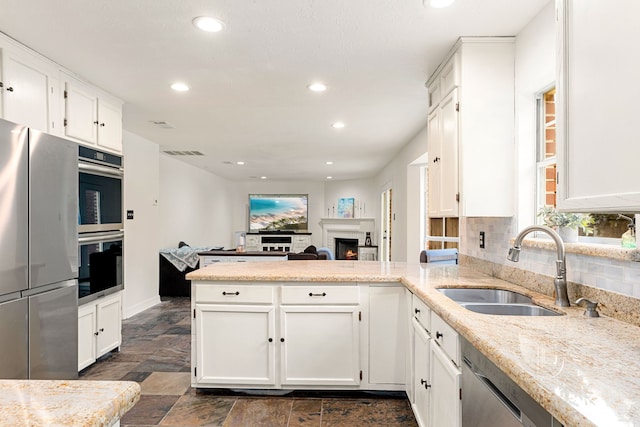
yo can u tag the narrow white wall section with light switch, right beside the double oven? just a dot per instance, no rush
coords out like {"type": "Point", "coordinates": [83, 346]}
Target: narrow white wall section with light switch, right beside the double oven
{"type": "Point", "coordinates": [142, 235]}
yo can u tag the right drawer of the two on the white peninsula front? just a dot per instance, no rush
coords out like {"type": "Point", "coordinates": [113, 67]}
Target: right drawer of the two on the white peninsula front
{"type": "Point", "coordinates": [320, 294]}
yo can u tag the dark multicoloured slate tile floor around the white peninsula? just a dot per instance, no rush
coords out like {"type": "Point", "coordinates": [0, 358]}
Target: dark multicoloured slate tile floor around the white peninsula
{"type": "Point", "coordinates": [155, 352]}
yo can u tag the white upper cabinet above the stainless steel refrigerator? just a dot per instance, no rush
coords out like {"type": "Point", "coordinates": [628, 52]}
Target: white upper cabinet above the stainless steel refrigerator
{"type": "Point", "coordinates": [29, 87]}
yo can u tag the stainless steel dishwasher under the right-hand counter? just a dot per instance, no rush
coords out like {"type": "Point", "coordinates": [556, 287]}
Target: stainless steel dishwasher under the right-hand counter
{"type": "Point", "coordinates": [491, 399]}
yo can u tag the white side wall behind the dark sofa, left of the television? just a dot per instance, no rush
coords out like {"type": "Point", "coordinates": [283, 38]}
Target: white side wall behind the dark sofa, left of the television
{"type": "Point", "coordinates": [195, 206]}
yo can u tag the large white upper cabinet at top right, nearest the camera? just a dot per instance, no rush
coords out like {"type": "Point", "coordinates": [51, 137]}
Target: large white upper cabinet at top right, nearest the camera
{"type": "Point", "coordinates": [598, 148]}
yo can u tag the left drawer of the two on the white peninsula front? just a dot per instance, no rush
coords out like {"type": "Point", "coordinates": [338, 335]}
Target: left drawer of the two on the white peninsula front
{"type": "Point", "coordinates": [235, 294]}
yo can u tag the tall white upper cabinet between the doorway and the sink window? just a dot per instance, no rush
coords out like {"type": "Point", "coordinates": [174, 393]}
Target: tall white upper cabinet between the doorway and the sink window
{"type": "Point", "coordinates": [471, 130]}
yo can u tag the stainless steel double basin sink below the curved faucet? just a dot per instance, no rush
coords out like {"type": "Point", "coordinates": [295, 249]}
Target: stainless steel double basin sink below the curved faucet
{"type": "Point", "coordinates": [496, 301]}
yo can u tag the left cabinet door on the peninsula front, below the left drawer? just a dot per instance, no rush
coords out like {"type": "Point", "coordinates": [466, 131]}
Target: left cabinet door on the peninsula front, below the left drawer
{"type": "Point", "coordinates": [235, 344]}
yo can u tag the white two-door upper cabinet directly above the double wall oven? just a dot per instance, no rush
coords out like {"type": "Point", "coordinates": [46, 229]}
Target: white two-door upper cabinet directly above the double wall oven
{"type": "Point", "coordinates": [92, 117]}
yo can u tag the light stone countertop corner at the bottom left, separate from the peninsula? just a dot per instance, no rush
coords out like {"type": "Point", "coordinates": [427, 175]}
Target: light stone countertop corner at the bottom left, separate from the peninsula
{"type": "Point", "coordinates": [65, 403]}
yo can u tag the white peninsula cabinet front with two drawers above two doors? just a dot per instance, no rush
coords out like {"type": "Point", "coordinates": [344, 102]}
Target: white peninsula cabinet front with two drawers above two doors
{"type": "Point", "coordinates": [271, 336]}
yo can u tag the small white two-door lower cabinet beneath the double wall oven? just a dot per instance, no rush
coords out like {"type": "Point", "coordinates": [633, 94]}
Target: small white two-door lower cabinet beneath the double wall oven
{"type": "Point", "coordinates": [99, 328]}
